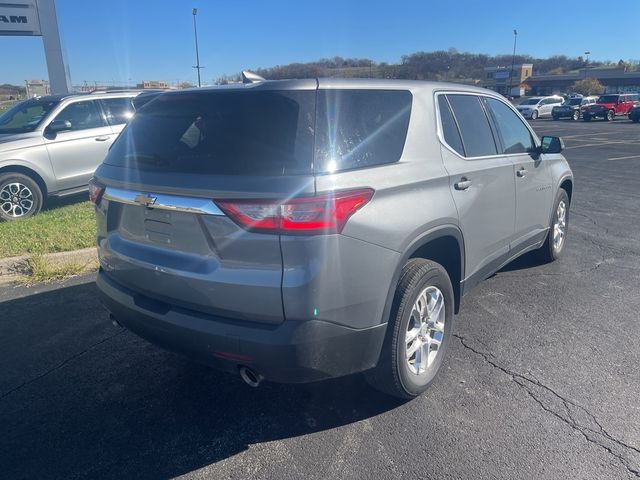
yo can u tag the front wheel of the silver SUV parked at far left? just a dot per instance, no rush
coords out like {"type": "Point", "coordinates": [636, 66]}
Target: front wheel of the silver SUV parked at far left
{"type": "Point", "coordinates": [18, 206]}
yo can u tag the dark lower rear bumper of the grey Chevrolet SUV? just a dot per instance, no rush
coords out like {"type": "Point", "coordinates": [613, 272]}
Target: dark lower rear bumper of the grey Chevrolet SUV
{"type": "Point", "coordinates": [292, 352]}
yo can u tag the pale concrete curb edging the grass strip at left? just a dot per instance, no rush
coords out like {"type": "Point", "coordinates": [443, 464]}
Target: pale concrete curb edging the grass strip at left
{"type": "Point", "coordinates": [13, 269]}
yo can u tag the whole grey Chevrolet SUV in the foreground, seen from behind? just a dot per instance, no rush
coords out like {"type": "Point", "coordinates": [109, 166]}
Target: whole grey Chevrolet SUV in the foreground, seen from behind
{"type": "Point", "coordinates": [301, 230]}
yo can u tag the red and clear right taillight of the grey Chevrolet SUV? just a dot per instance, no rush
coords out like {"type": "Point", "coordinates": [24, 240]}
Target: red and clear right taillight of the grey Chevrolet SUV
{"type": "Point", "coordinates": [325, 213]}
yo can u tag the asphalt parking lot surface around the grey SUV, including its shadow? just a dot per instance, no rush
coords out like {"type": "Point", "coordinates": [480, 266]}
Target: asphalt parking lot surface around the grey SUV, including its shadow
{"type": "Point", "coordinates": [543, 380]}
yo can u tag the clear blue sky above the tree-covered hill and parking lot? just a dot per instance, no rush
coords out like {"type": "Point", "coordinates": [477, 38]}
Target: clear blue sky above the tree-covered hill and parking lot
{"type": "Point", "coordinates": [118, 40]}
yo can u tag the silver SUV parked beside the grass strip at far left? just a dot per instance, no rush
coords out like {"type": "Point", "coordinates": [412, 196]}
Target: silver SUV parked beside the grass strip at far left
{"type": "Point", "coordinates": [50, 146]}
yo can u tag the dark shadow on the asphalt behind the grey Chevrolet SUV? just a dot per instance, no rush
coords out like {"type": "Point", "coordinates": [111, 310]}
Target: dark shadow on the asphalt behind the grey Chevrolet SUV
{"type": "Point", "coordinates": [82, 398]}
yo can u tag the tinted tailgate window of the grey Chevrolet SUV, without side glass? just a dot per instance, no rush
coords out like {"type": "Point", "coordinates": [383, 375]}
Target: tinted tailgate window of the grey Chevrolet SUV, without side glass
{"type": "Point", "coordinates": [226, 133]}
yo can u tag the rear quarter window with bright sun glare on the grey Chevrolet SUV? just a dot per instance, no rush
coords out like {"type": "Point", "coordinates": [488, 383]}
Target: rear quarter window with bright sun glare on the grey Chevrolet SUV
{"type": "Point", "coordinates": [360, 128]}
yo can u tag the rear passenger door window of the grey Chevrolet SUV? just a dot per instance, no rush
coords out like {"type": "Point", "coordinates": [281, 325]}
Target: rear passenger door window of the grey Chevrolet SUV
{"type": "Point", "coordinates": [477, 137]}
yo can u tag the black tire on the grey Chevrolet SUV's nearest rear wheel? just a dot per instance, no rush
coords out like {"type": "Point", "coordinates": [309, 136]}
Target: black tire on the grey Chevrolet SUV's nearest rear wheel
{"type": "Point", "coordinates": [392, 375]}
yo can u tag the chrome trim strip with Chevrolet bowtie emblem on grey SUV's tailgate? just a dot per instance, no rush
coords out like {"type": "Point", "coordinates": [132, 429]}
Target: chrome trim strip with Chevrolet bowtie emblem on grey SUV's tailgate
{"type": "Point", "coordinates": [174, 203]}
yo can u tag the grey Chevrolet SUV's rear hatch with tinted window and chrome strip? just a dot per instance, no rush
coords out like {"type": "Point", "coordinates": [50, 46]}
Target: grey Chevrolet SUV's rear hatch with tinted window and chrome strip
{"type": "Point", "coordinates": [173, 176]}
